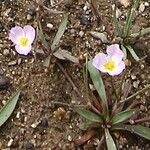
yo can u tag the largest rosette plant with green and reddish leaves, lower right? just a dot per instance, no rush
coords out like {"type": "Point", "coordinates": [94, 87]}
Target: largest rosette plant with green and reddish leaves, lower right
{"type": "Point", "coordinates": [98, 115]}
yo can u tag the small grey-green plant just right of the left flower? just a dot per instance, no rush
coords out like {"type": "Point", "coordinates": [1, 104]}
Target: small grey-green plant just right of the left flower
{"type": "Point", "coordinates": [55, 50]}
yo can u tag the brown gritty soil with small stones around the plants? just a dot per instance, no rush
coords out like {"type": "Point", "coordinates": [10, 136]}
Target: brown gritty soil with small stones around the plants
{"type": "Point", "coordinates": [33, 125]}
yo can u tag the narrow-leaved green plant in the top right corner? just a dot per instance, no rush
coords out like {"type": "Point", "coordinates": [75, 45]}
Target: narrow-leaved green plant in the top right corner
{"type": "Point", "coordinates": [124, 35]}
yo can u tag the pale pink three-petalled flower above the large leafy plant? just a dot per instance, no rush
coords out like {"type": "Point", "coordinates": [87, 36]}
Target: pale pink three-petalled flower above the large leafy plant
{"type": "Point", "coordinates": [111, 62]}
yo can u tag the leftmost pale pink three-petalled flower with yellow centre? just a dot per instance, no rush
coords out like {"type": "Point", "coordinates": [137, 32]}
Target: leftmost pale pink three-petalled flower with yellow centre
{"type": "Point", "coordinates": [22, 38]}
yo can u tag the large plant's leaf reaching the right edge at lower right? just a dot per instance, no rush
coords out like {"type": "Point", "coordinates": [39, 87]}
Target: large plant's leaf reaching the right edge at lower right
{"type": "Point", "coordinates": [136, 129]}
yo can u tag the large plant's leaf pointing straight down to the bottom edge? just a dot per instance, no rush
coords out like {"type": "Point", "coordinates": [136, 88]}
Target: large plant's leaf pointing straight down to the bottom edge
{"type": "Point", "coordinates": [109, 141]}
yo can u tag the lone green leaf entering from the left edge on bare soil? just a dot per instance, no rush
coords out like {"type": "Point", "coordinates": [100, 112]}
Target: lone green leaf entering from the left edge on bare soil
{"type": "Point", "coordinates": [7, 110]}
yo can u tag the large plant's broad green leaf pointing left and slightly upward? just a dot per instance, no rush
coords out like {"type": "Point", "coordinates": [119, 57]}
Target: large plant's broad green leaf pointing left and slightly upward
{"type": "Point", "coordinates": [88, 114]}
